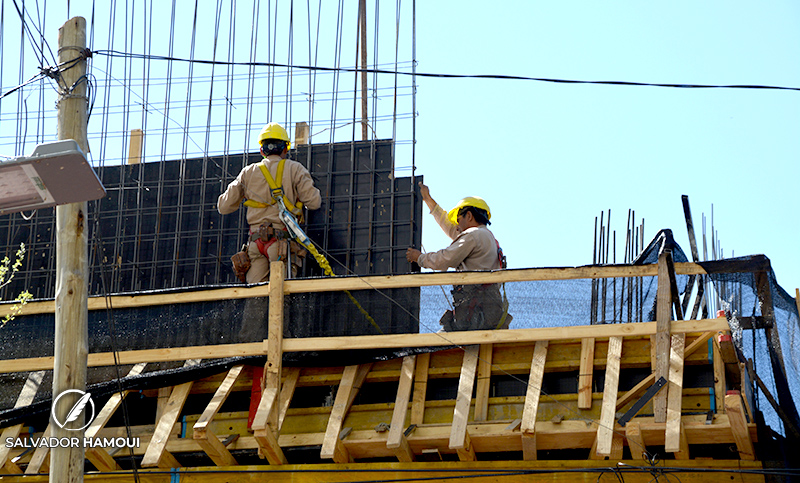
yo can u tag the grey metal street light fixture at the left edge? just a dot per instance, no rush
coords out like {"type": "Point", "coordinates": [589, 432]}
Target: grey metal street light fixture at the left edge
{"type": "Point", "coordinates": [56, 173]}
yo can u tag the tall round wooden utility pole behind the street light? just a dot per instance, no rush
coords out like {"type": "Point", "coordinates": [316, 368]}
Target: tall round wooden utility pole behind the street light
{"type": "Point", "coordinates": [72, 268]}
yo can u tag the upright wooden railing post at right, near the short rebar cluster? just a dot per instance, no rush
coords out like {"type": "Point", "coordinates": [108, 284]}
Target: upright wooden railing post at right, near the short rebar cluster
{"type": "Point", "coordinates": [663, 318]}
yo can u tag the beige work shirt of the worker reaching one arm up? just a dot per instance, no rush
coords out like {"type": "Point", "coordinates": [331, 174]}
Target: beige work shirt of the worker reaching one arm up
{"type": "Point", "coordinates": [473, 249]}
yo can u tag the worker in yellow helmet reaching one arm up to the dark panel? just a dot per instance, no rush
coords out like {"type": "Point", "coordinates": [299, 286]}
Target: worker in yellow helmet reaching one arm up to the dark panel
{"type": "Point", "coordinates": [474, 247]}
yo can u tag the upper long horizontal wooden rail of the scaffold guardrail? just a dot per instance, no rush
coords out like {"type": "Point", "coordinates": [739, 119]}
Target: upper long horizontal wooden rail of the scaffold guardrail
{"type": "Point", "coordinates": [386, 281]}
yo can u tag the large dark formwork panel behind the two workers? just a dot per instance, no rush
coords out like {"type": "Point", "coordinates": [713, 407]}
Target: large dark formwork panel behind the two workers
{"type": "Point", "coordinates": [158, 227]}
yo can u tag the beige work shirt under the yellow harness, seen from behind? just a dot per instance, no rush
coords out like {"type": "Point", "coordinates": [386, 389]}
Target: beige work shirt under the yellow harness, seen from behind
{"type": "Point", "coordinates": [252, 185]}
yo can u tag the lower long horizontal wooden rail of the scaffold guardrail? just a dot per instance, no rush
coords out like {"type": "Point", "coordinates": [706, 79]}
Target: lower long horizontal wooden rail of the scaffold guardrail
{"type": "Point", "coordinates": [372, 342]}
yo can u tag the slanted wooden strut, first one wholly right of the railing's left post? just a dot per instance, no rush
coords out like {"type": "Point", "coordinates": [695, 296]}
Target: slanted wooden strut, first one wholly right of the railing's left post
{"type": "Point", "coordinates": [332, 446]}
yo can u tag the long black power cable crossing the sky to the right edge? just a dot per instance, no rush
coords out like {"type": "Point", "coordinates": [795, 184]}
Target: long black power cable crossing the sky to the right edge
{"type": "Point", "coordinates": [114, 53]}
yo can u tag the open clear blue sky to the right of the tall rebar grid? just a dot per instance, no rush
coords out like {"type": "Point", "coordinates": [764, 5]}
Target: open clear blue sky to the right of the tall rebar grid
{"type": "Point", "coordinates": [549, 158]}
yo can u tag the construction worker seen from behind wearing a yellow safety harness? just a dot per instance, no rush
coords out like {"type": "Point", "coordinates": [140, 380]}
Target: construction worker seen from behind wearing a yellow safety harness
{"type": "Point", "coordinates": [260, 185]}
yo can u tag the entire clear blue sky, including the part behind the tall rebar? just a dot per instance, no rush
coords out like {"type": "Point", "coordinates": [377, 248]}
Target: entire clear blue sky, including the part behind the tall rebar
{"type": "Point", "coordinates": [547, 157]}
